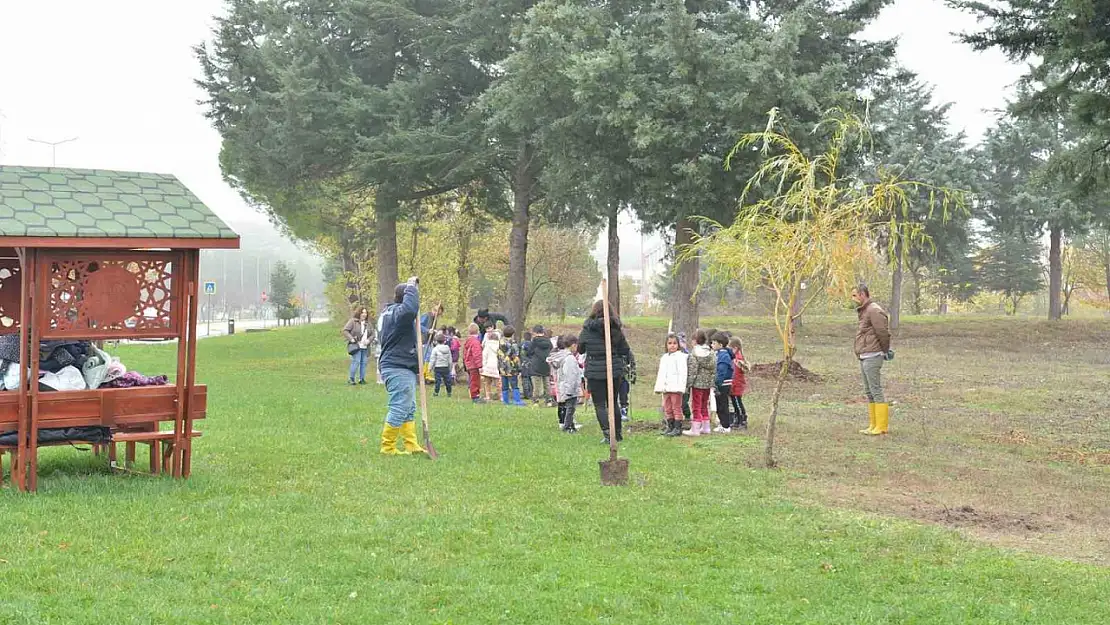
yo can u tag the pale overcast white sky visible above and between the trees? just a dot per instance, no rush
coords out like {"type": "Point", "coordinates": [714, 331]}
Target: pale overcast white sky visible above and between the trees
{"type": "Point", "coordinates": [118, 76]}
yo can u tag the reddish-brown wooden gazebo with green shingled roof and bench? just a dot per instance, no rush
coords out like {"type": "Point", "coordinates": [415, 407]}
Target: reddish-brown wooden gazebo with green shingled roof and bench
{"type": "Point", "coordinates": [95, 256]}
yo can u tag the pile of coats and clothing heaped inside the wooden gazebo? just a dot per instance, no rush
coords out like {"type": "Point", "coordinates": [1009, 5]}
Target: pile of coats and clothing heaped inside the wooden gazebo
{"type": "Point", "coordinates": [70, 366]}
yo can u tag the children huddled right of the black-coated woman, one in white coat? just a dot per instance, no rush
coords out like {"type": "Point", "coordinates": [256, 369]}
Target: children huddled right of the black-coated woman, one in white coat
{"type": "Point", "coordinates": [692, 380]}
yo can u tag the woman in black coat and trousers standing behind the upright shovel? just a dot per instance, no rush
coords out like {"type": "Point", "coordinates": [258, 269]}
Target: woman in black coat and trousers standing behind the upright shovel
{"type": "Point", "coordinates": [592, 344]}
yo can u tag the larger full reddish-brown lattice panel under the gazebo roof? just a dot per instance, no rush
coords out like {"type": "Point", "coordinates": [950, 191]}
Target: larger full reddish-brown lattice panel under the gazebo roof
{"type": "Point", "coordinates": [112, 297]}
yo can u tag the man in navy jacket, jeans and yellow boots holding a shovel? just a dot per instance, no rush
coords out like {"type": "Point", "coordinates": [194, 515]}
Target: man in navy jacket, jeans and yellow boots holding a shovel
{"type": "Point", "coordinates": [400, 368]}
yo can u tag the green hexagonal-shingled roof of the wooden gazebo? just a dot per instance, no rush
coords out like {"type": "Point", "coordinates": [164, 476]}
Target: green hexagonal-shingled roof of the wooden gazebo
{"type": "Point", "coordinates": [98, 204]}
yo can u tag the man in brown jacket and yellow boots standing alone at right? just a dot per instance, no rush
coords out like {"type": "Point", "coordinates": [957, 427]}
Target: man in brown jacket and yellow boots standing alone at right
{"type": "Point", "coordinates": [873, 344]}
